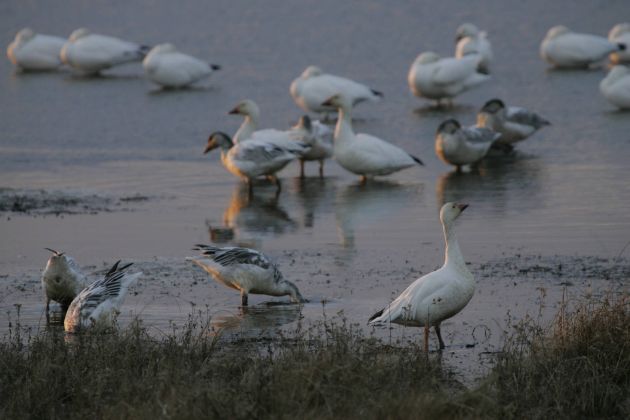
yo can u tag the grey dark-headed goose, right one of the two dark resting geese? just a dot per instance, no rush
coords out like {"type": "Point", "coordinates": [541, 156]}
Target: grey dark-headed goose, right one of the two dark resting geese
{"type": "Point", "coordinates": [514, 123]}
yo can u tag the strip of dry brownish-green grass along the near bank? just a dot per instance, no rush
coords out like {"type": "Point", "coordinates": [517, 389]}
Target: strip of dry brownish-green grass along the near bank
{"type": "Point", "coordinates": [578, 367]}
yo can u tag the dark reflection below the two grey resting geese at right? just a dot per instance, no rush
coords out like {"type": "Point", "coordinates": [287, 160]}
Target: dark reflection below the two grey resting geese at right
{"type": "Point", "coordinates": [498, 183]}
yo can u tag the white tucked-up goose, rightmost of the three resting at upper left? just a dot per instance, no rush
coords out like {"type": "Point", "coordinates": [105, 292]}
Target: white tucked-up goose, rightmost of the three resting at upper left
{"type": "Point", "coordinates": [170, 68]}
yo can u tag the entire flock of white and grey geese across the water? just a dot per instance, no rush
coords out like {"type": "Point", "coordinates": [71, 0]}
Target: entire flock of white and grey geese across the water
{"type": "Point", "coordinates": [252, 152]}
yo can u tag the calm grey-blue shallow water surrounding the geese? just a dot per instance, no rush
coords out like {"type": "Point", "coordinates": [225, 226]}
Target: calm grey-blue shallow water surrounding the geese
{"type": "Point", "coordinates": [565, 192]}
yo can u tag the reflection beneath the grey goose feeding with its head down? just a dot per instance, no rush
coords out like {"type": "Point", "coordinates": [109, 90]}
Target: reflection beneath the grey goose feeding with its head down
{"type": "Point", "coordinates": [252, 320]}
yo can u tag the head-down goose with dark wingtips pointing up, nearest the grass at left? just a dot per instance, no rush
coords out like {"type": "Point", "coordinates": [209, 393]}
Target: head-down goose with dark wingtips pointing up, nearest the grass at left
{"type": "Point", "coordinates": [99, 302]}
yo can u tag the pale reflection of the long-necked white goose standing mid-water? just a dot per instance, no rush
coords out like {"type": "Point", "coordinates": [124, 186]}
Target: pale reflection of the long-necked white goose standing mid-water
{"type": "Point", "coordinates": [364, 205]}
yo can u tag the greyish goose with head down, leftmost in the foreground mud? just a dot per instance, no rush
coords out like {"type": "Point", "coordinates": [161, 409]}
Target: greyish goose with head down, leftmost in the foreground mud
{"type": "Point", "coordinates": [62, 280]}
